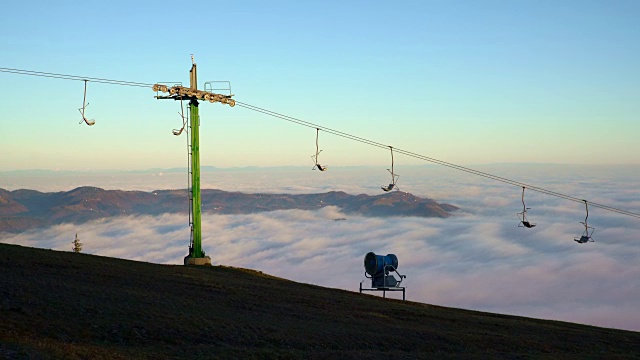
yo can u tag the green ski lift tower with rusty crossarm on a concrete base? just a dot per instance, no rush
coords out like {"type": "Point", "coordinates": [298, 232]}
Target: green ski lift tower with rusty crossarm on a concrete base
{"type": "Point", "coordinates": [177, 92]}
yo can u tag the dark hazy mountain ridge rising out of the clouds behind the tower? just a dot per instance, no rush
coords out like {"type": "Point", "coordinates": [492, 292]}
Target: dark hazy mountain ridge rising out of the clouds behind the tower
{"type": "Point", "coordinates": [22, 210]}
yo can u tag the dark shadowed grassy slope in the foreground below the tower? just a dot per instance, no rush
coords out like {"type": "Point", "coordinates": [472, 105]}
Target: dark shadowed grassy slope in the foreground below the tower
{"type": "Point", "coordinates": [65, 305]}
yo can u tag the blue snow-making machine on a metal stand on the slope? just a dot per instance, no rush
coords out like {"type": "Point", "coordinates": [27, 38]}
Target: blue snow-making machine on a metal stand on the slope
{"type": "Point", "coordinates": [379, 269]}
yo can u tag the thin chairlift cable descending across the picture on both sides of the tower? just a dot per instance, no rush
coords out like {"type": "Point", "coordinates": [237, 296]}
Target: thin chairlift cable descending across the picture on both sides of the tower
{"type": "Point", "coordinates": [341, 134]}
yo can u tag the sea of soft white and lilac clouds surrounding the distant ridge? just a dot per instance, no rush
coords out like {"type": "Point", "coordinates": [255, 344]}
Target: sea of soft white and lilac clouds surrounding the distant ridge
{"type": "Point", "coordinates": [477, 259]}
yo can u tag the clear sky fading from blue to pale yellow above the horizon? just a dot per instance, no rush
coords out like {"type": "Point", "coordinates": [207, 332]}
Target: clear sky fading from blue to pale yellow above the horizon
{"type": "Point", "coordinates": [468, 82]}
